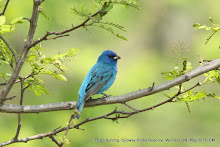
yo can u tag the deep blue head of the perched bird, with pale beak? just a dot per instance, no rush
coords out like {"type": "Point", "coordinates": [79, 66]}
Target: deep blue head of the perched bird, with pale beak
{"type": "Point", "coordinates": [108, 57]}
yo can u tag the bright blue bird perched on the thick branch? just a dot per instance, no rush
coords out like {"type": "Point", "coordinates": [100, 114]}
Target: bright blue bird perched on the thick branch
{"type": "Point", "coordinates": [100, 77]}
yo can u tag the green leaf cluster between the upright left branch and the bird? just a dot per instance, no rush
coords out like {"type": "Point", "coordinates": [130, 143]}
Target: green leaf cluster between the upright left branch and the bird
{"type": "Point", "coordinates": [40, 64]}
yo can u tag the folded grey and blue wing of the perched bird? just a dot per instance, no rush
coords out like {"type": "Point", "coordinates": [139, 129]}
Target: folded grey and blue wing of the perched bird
{"type": "Point", "coordinates": [95, 84]}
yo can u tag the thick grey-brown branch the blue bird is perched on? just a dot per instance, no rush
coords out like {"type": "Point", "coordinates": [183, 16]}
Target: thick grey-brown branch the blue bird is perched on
{"type": "Point", "coordinates": [10, 108]}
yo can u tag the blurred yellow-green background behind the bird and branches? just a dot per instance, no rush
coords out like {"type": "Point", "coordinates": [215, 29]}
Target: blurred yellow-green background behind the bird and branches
{"type": "Point", "coordinates": [147, 53]}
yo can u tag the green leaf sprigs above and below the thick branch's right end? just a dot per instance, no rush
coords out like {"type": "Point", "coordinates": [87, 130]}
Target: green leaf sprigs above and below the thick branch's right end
{"type": "Point", "coordinates": [189, 96]}
